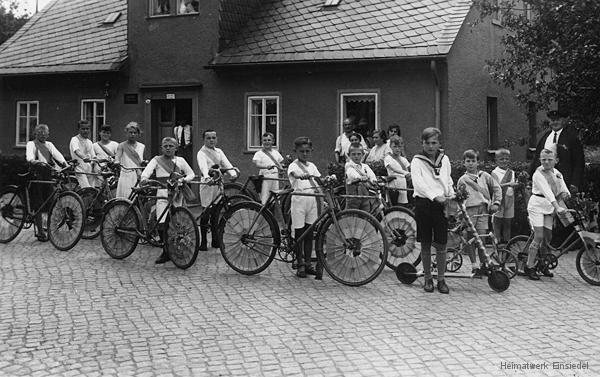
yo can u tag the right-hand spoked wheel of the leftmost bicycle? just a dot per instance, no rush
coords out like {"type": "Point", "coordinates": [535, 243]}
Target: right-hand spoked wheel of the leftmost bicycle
{"type": "Point", "coordinates": [66, 221]}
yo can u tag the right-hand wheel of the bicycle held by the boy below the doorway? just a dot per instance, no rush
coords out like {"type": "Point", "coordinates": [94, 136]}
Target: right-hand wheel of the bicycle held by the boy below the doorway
{"type": "Point", "coordinates": [182, 238]}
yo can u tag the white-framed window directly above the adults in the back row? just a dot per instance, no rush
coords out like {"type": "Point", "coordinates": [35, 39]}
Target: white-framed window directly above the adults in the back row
{"type": "Point", "coordinates": [362, 109]}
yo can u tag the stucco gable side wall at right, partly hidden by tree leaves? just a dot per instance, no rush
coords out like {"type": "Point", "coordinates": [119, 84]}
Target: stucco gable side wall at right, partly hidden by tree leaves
{"type": "Point", "coordinates": [469, 86]}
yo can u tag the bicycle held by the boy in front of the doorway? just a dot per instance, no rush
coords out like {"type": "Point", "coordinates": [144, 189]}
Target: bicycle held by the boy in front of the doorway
{"type": "Point", "coordinates": [123, 225]}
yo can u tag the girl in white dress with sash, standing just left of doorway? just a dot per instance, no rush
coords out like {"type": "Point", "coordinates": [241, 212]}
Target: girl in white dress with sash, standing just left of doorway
{"type": "Point", "coordinates": [130, 155]}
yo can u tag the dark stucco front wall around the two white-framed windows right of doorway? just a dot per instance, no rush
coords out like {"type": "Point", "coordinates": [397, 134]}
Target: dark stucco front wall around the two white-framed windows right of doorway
{"type": "Point", "coordinates": [310, 103]}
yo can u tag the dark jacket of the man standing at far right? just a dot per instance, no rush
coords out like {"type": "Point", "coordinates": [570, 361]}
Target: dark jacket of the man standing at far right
{"type": "Point", "coordinates": [571, 162]}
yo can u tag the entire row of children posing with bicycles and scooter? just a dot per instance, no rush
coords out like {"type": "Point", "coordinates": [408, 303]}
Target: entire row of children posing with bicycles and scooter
{"type": "Point", "coordinates": [429, 170]}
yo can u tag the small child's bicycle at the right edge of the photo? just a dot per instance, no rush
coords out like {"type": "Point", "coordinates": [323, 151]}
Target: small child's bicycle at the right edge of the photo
{"type": "Point", "coordinates": [586, 243]}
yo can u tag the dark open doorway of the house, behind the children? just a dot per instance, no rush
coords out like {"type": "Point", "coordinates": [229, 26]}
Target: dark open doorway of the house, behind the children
{"type": "Point", "coordinates": [166, 116]}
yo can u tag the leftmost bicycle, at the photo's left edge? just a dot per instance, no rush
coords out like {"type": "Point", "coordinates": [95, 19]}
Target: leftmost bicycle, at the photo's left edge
{"type": "Point", "coordinates": [66, 215]}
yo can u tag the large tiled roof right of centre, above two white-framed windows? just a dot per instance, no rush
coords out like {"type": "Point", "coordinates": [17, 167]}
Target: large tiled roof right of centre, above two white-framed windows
{"type": "Point", "coordinates": [287, 31]}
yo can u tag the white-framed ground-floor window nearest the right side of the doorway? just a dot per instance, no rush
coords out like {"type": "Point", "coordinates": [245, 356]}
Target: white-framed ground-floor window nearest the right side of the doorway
{"type": "Point", "coordinates": [263, 116]}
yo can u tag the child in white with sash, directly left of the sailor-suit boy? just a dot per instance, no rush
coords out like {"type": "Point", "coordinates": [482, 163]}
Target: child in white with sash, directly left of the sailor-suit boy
{"type": "Point", "coordinates": [397, 166]}
